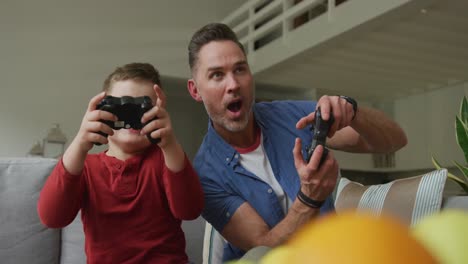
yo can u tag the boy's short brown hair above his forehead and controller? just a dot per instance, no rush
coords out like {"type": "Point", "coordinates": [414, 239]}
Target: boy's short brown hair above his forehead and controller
{"type": "Point", "coordinates": [132, 71]}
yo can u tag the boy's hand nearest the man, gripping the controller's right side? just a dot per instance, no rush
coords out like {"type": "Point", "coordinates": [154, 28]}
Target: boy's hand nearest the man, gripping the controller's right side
{"type": "Point", "coordinates": [161, 126]}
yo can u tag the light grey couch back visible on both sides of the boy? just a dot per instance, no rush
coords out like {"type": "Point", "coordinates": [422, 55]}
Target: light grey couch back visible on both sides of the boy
{"type": "Point", "coordinates": [23, 239]}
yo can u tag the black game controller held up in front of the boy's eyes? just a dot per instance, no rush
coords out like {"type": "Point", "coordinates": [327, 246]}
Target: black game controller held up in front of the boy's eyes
{"type": "Point", "coordinates": [128, 110]}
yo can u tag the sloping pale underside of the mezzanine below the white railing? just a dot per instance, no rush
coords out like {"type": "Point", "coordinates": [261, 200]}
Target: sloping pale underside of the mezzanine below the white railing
{"type": "Point", "coordinates": [413, 49]}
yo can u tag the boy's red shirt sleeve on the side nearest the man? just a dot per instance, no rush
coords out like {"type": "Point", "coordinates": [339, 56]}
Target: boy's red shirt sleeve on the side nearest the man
{"type": "Point", "coordinates": [183, 191]}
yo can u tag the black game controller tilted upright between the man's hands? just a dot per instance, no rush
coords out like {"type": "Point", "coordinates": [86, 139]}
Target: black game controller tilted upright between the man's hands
{"type": "Point", "coordinates": [320, 128]}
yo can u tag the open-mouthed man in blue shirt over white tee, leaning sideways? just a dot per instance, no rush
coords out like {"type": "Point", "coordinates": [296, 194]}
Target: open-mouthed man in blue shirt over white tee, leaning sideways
{"type": "Point", "coordinates": [249, 174]}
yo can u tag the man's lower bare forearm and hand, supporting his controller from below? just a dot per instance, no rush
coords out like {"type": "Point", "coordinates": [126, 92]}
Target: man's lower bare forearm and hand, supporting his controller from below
{"type": "Point", "coordinates": [247, 229]}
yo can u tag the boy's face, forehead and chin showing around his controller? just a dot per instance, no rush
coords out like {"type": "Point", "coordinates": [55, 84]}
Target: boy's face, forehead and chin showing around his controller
{"type": "Point", "coordinates": [130, 139]}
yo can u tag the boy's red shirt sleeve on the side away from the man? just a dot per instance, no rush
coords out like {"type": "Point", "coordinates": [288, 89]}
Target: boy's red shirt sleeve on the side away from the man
{"type": "Point", "coordinates": [60, 198]}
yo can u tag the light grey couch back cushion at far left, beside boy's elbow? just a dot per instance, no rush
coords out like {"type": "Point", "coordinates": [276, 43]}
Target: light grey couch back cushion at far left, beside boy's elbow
{"type": "Point", "coordinates": [23, 239]}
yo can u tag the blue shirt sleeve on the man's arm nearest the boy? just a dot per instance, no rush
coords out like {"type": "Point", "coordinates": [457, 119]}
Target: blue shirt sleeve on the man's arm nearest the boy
{"type": "Point", "coordinates": [220, 205]}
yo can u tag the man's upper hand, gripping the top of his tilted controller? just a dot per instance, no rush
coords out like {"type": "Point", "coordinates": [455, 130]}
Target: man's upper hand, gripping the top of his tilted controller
{"type": "Point", "coordinates": [342, 110]}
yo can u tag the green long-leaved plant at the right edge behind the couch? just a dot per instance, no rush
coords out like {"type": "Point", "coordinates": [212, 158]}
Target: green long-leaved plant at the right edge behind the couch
{"type": "Point", "coordinates": [461, 133]}
